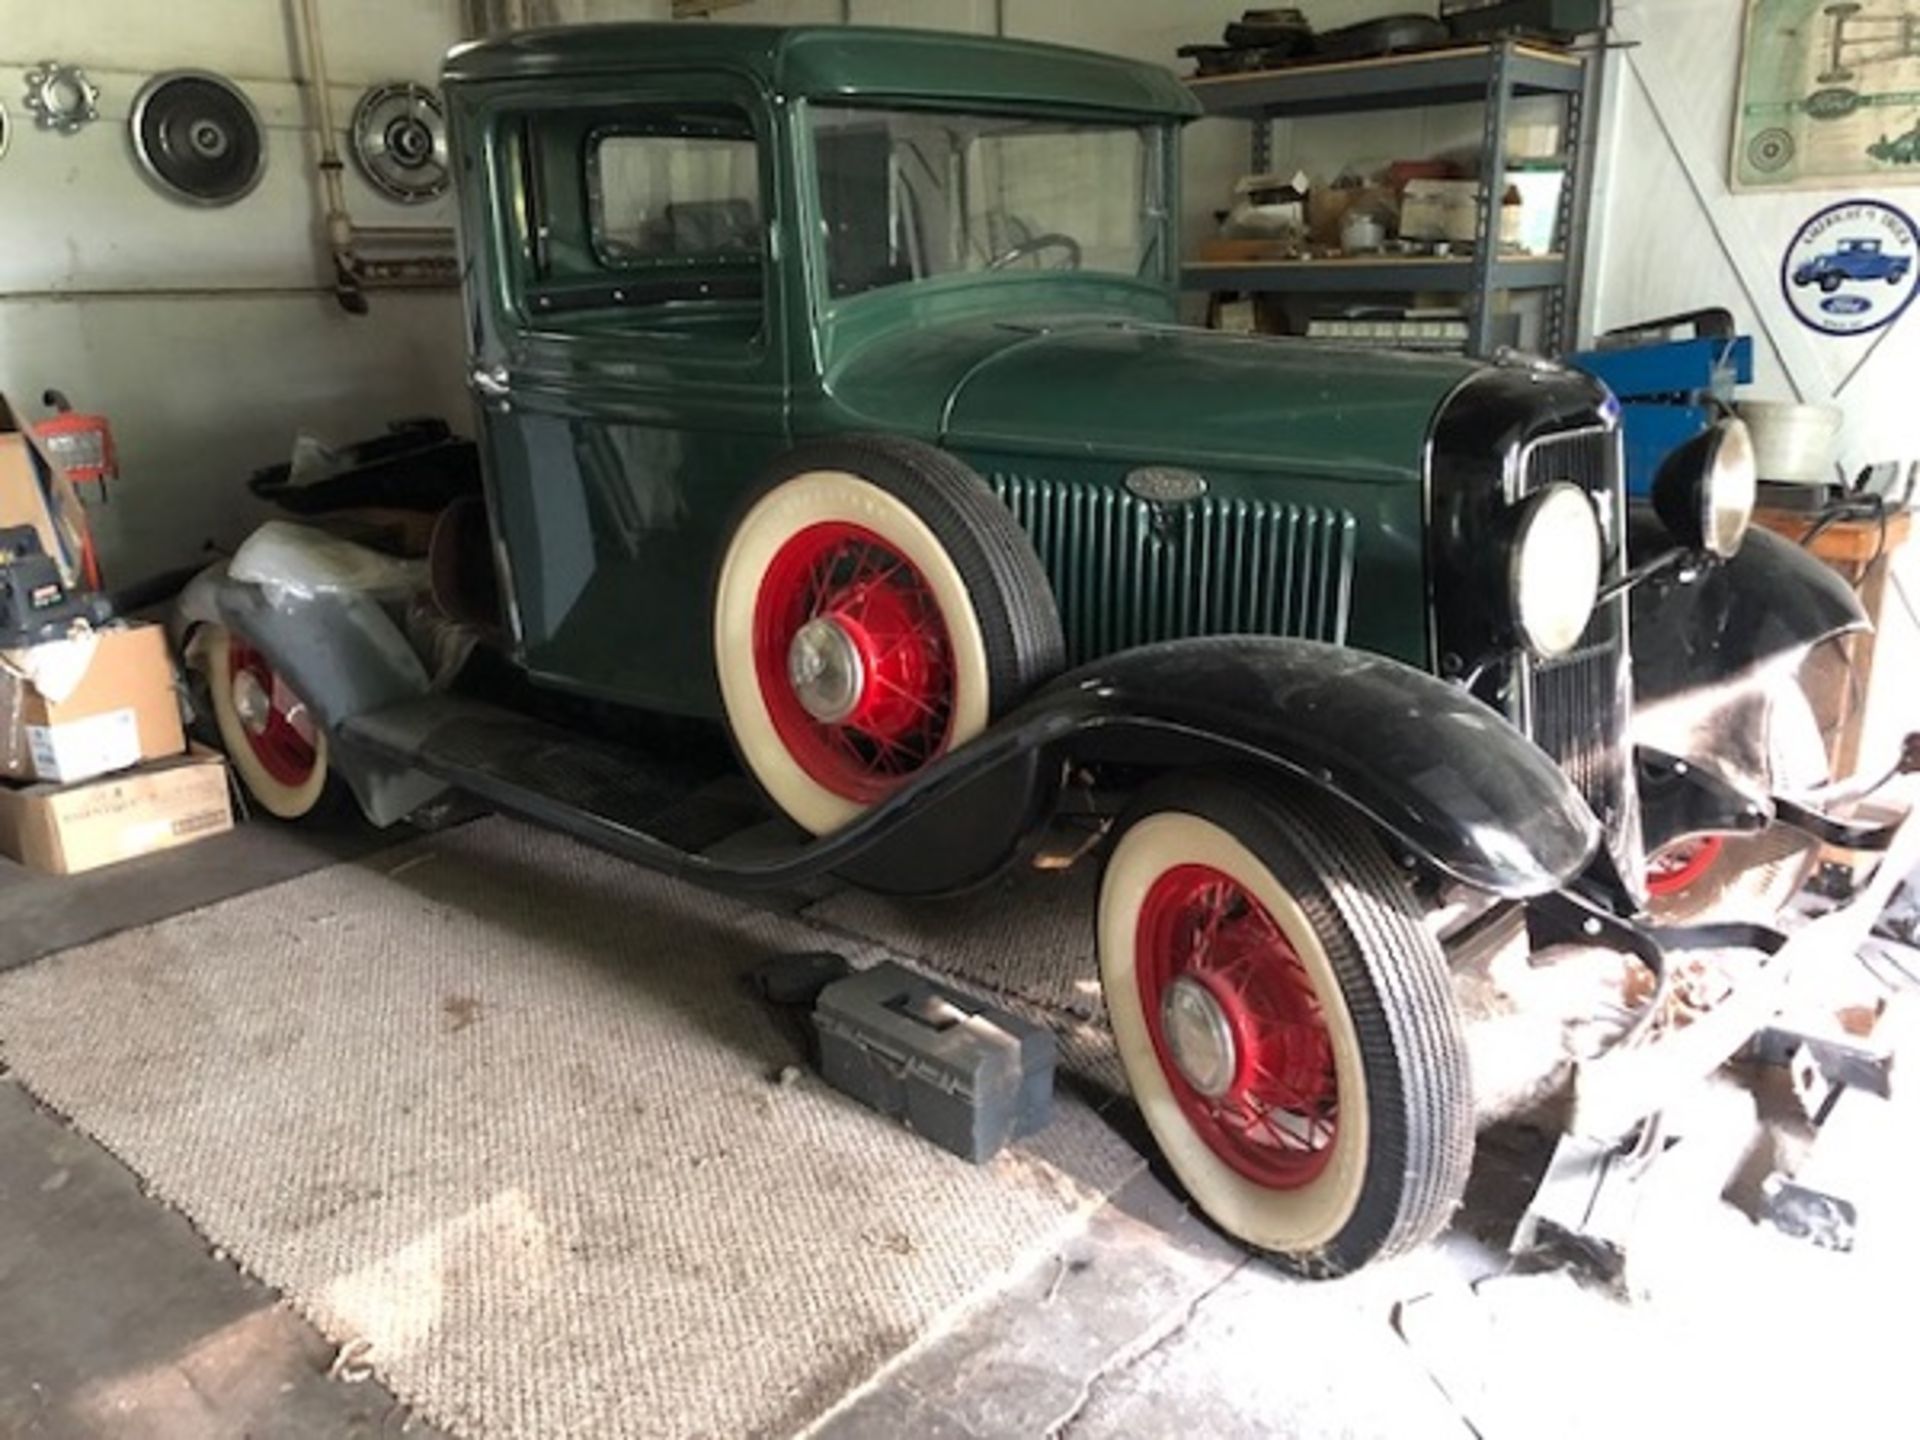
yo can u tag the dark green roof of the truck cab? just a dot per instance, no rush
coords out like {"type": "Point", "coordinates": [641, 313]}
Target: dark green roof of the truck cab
{"type": "Point", "coordinates": [840, 60]}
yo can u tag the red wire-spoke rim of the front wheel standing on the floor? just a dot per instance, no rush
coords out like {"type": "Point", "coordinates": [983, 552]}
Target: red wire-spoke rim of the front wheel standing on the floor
{"type": "Point", "coordinates": [1237, 1026]}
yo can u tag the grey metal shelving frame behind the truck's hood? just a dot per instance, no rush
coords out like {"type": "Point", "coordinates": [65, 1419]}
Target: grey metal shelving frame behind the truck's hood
{"type": "Point", "coordinates": [1495, 76]}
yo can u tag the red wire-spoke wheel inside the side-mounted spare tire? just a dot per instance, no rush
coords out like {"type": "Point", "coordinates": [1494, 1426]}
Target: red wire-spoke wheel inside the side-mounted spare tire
{"type": "Point", "coordinates": [853, 660]}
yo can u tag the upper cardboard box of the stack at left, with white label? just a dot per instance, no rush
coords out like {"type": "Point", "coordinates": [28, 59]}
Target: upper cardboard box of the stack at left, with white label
{"type": "Point", "coordinates": [124, 711]}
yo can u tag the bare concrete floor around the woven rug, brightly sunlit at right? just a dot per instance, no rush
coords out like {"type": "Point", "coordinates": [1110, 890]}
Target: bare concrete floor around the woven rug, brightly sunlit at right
{"type": "Point", "coordinates": [122, 1322]}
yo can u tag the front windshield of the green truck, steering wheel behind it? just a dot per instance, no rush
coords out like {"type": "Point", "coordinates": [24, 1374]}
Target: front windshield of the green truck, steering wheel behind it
{"type": "Point", "coordinates": [911, 195]}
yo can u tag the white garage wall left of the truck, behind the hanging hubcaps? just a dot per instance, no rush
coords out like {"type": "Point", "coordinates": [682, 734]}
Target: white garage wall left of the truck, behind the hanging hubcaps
{"type": "Point", "coordinates": [204, 335]}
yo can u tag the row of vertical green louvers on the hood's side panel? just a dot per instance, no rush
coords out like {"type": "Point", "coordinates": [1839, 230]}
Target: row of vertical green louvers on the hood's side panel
{"type": "Point", "coordinates": [1130, 573]}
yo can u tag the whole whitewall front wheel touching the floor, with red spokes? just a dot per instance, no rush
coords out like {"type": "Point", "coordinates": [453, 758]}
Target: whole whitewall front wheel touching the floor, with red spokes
{"type": "Point", "coordinates": [1287, 1024]}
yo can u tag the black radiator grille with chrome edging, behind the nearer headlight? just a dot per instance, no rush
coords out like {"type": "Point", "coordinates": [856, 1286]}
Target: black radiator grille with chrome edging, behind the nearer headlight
{"type": "Point", "coordinates": [1577, 708]}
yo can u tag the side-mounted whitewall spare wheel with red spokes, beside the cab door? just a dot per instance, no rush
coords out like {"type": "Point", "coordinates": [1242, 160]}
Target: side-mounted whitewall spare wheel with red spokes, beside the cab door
{"type": "Point", "coordinates": [928, 610]}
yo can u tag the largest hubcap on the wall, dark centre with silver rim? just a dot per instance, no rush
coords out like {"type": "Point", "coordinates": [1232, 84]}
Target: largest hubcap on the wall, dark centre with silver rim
{"type": "Point", "coordinates": [199, 137]}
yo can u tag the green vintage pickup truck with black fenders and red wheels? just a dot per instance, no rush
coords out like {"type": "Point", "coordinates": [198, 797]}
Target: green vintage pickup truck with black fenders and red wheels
{"type": "Point", "coordinates": [830, 391]}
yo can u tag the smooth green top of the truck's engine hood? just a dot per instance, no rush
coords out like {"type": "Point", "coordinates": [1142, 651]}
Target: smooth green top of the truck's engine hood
{"type": "Point", "coordinates": [1151, 393]}
